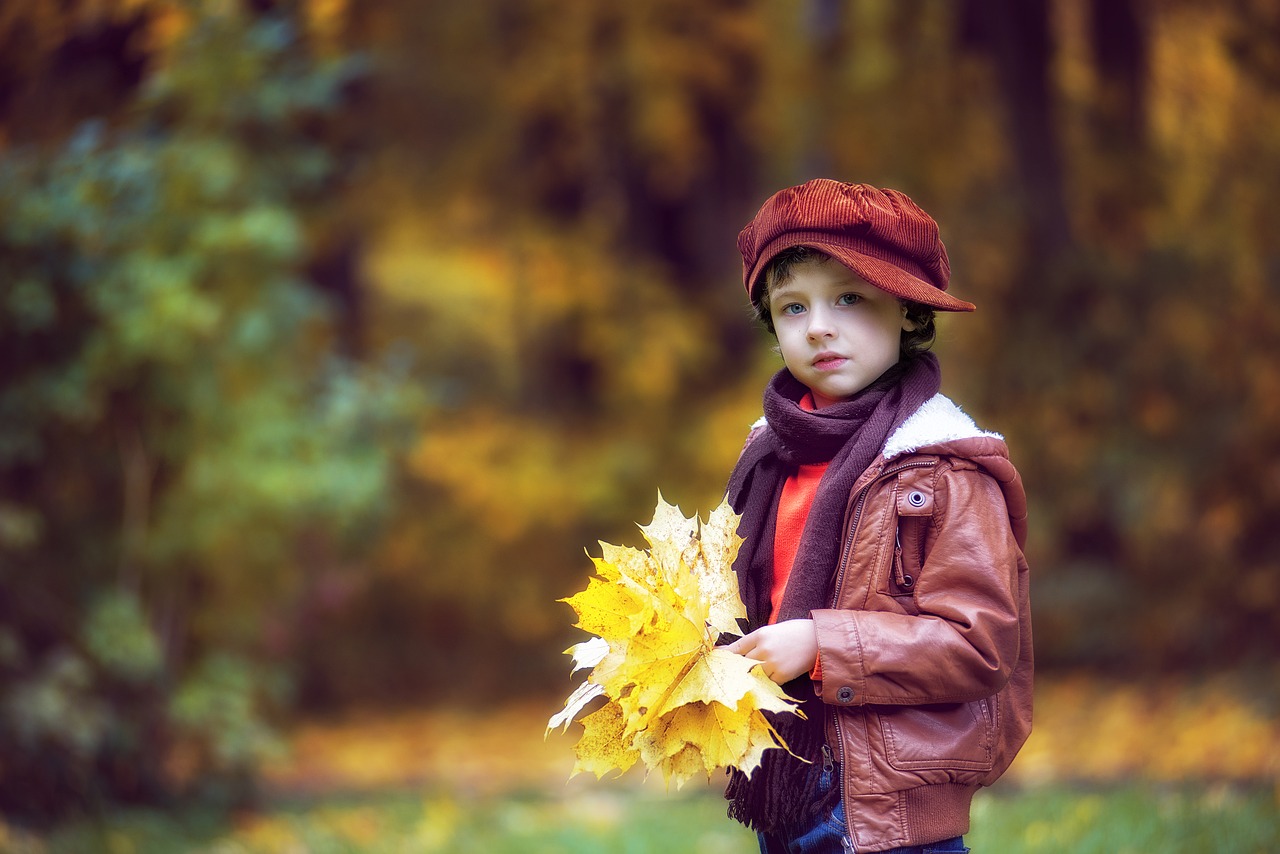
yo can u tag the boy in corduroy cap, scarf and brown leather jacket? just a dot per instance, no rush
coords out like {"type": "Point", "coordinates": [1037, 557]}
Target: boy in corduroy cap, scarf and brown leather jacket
{"type": "Point", "coordinates": [884, 572]}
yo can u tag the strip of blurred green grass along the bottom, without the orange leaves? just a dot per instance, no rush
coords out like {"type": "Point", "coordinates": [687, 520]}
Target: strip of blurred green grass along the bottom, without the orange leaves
{"type": "Point", "coordinates": [644, 820]}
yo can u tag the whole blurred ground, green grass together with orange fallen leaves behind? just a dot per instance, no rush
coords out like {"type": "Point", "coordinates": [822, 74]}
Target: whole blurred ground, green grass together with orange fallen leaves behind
{"type": "Point", "coordinates": [1108, 770]}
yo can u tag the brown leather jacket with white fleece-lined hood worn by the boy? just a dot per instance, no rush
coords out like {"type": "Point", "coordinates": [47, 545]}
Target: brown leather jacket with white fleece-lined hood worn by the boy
{"type": "Point", "coordinates": [926, 655]}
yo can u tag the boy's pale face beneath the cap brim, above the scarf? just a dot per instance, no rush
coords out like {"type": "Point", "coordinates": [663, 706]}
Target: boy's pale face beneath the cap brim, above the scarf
{"type": "Point", "coordinates": [838, 334]}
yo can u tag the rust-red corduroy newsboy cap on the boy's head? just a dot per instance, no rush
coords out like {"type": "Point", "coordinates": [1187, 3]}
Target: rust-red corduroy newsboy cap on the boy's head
{"type": "Point", "coordinates": [880, 235]}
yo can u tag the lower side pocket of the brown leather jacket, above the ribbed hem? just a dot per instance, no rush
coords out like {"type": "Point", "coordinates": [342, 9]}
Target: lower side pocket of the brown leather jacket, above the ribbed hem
{"type": "Point", "coordinates": [944, 737]}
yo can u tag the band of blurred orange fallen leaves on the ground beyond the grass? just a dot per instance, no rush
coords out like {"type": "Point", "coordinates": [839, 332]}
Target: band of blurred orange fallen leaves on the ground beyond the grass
{"type": "Point", "coordinates": [1087, 730]}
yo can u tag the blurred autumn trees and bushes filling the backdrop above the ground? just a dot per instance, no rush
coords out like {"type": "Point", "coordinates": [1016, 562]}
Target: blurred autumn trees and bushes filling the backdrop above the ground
{"type": "Point", "coordinates": [332, 334]}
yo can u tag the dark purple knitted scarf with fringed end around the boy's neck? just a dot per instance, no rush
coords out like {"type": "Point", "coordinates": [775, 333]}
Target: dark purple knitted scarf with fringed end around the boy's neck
{"type": "Point", "coordinates": [783, 793]}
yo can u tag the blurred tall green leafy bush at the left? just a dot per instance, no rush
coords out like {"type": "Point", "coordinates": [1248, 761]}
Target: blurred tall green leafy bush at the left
{"type": "Point", "coordinates": [176, 418]}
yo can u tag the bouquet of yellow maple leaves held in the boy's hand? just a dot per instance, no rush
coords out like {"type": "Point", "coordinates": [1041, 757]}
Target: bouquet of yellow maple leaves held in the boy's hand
{"type": "Point", "coordinates": [675, 701]}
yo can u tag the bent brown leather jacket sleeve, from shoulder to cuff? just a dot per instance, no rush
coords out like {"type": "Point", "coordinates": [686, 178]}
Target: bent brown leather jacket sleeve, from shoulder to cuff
{"type": "Point", "coordinates": [964, 643]}
